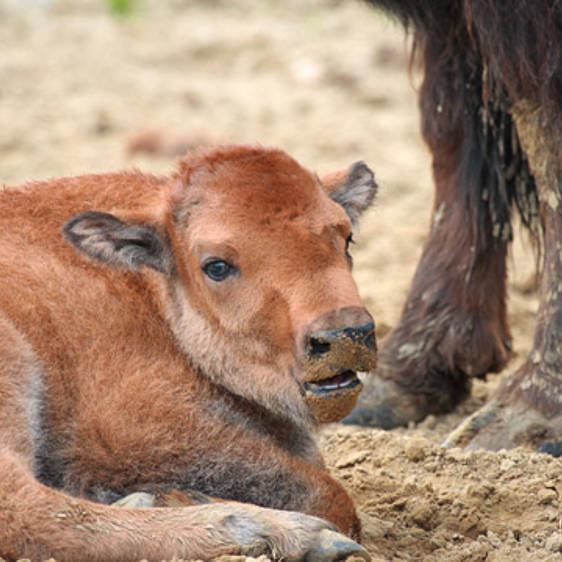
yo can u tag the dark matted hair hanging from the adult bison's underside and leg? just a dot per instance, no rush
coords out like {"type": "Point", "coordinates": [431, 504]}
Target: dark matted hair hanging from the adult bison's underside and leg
{"type": "Point", "coordinates": [484, 55]}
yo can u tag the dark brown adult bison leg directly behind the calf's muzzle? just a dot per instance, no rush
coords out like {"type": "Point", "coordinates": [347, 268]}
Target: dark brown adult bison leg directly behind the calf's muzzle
{"type": "Point", "coordinates": [453, 325]}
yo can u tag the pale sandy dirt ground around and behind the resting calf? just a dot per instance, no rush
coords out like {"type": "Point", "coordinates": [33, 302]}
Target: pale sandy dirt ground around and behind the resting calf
{"type": "Point", "coordinates": [328, 82]}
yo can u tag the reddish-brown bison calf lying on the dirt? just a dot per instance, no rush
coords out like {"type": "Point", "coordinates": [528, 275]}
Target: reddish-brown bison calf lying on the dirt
{"type": "Point", "coordinates": [179, 333]}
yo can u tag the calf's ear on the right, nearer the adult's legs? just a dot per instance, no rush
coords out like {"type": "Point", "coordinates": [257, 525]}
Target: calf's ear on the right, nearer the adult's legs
{"type": "Point", "coordinates": [353, 188]}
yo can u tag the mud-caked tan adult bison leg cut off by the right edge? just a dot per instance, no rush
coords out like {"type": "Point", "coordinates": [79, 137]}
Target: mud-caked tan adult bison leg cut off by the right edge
{"type": "Point", "coordinates": [527, 407]}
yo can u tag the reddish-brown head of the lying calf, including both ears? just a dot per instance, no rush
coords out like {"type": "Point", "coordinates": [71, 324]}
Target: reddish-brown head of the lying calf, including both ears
{"type": "Point", "coordinates": [250, 254]}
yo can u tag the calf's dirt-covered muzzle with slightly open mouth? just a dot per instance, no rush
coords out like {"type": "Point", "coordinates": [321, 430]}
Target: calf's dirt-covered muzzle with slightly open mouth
{"type": "Point", "coordinates": [336, 346]}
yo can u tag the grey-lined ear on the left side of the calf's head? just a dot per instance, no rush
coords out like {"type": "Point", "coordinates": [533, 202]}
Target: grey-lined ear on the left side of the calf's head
{"type": "Point", "coordinates": [111, 240]}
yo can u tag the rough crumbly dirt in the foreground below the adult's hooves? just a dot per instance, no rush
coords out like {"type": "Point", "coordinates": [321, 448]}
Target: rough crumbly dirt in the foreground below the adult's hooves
{"type": "Point", "coordinates": [421, 502]}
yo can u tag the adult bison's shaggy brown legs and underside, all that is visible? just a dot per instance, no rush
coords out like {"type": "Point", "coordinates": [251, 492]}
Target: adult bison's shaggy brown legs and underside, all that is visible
{"type": "Point", "coordinates": [491, 105]}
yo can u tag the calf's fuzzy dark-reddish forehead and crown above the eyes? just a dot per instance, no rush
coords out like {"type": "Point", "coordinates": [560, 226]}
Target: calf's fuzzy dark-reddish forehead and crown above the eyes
{"type": "Point", "coordinates": [258, 196]}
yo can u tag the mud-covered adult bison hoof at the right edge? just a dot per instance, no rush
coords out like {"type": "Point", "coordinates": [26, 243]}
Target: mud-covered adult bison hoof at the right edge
{"type": "Point", "coordinates": [499, 425]}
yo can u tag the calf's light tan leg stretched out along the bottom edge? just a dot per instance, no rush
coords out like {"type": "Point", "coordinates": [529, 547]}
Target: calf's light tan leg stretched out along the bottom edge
{"type": "Point", "coordinates": [37, 522]}
